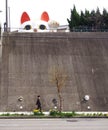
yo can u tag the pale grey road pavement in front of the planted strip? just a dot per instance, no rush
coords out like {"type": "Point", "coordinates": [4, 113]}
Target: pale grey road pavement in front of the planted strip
{"type": "Point", "coordinates": [55, 124]}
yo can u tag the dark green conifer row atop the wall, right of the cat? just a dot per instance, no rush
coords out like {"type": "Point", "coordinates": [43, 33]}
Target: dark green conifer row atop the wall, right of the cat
{"type": "Point", "coordinates": [88, 21]}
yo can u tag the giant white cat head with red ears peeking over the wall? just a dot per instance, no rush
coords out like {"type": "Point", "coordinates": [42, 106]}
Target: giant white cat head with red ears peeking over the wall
{"type": "Point", "coordinates": [42, 25]}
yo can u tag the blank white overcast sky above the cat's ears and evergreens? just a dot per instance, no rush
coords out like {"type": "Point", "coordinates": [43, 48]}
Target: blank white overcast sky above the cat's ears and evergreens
{"type": "Point", "coordinates": [58, 10]}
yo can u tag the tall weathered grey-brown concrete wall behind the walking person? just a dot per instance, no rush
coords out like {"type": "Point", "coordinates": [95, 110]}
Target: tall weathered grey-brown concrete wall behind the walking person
{"type": "Point", "coordinates": [28, 57]}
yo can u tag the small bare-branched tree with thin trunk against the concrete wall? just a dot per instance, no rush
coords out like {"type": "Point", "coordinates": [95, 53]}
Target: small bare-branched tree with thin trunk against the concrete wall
{"type": "Point", "coordinates": [58, 77]}
